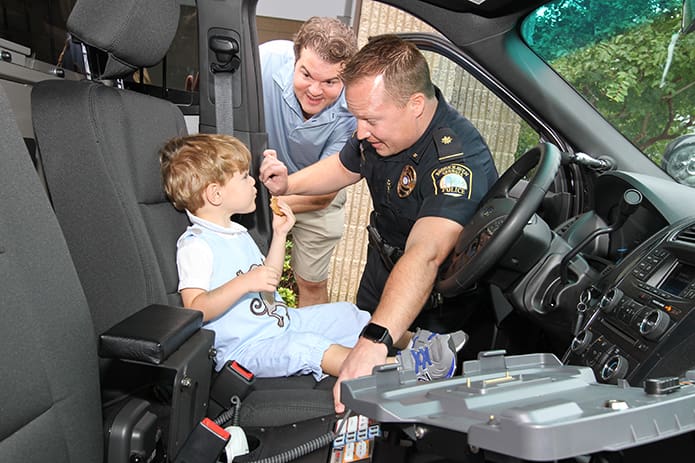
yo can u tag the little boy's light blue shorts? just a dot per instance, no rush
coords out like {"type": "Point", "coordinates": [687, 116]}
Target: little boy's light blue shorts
{"type": "Point", "coordinates": [300, 349]}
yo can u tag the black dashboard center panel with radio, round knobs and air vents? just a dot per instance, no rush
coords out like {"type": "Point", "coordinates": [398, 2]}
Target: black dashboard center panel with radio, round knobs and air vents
{"type": "Point", "coordinates": [642, 321]}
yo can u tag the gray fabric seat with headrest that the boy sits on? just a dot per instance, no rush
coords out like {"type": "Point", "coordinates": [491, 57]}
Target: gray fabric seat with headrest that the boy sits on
{"type": "Point", "coordinates": [99, 149]}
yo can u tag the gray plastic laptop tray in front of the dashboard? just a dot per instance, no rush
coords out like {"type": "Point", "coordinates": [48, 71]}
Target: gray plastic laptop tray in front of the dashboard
{"type": "Point", "coordinates": [528, 406]}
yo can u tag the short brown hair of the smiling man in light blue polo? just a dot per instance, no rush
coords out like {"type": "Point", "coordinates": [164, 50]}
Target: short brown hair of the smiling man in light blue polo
{"type": "Point", "coordinates": [332, 40]}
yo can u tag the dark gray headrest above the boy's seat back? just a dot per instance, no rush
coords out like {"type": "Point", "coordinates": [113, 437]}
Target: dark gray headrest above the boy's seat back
{"type": "Point", "coordinates": [133, 33]}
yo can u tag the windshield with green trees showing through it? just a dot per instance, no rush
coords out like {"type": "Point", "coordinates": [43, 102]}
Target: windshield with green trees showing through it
{"type": "Point", "coordinates": [629, 59]}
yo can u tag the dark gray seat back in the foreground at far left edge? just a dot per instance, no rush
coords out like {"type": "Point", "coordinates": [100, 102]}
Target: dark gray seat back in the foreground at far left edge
{"type": "Point", "coordinates": [51, 410]}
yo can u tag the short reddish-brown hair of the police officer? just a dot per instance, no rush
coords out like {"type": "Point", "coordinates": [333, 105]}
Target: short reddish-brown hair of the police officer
{"type": "Point", "coordinates": [404, 68]}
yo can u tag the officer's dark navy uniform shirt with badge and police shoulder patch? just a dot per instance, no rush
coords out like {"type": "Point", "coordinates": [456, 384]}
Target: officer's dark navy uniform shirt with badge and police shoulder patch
{"type": "Point", "coordinates": [444, 174]}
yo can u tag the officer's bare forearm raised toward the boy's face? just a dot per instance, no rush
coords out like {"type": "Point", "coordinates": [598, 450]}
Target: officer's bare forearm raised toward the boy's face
{"type": "Point", "coordinates": [329, 175]}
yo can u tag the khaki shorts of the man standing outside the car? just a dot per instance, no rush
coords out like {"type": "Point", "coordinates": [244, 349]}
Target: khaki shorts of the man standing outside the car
{"type": "Point", "coordinates": [315, 234]}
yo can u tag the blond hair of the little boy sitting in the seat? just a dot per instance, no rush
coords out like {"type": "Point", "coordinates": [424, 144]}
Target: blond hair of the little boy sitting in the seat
{"type": "Point", "coordinates": [190, 163]}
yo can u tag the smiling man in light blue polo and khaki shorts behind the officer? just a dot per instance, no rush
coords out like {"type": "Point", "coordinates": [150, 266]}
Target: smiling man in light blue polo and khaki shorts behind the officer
{"type": "Point", "coordinates": [307, 119]}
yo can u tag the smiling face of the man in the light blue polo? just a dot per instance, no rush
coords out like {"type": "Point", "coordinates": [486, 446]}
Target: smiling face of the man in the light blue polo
{"type": "Point", "coordinates": [316, 82]}
